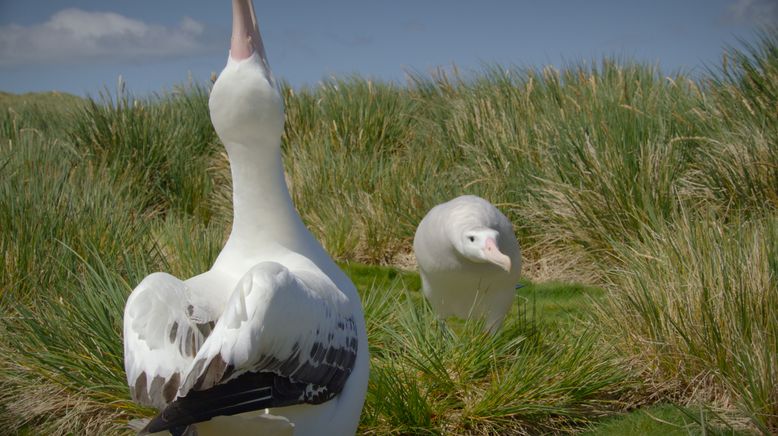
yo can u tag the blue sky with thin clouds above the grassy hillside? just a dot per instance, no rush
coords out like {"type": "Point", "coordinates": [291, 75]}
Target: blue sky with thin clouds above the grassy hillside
{"type": "Point", "coordinates": [82, 46]}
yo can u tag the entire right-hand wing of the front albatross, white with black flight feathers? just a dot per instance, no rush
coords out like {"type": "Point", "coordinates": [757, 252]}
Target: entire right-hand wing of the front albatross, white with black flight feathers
{"type": "Point", "coordinates": [284, 338]}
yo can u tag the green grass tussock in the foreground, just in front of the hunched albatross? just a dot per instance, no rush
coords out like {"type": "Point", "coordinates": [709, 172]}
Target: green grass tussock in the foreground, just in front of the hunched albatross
{"type": "Point", "coordinates": [436, 378]}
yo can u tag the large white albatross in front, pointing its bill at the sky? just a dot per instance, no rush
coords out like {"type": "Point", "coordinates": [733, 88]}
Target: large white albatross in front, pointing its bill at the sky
{"type": "Point", "coordinates": [270, 340]}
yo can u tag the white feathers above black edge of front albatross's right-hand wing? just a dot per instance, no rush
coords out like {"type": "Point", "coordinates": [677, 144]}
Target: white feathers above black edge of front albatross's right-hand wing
{"type": "Point", "coordinates": [276, 321]}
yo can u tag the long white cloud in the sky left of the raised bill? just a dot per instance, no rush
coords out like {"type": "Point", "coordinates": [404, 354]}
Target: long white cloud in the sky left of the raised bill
{"type": "Point", "coordinates": [74, 35]}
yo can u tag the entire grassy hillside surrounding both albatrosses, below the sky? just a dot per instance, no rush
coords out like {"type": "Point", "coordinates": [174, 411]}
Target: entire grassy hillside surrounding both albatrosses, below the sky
{"type": "Point", "coordinates": [659, 193]}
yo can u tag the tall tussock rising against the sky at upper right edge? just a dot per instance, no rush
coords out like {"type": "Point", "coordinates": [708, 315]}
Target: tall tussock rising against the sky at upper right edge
{"type": "Point", "coordinates": [739, 161]}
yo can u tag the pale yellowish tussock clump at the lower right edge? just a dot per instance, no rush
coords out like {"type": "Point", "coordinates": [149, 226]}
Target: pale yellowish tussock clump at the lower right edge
{"type": "Point", "coordinates": [701, 300]}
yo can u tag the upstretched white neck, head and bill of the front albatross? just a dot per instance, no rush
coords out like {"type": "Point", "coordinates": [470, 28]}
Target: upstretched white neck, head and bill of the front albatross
{"type": "Point", "coordinates": [247, 114]}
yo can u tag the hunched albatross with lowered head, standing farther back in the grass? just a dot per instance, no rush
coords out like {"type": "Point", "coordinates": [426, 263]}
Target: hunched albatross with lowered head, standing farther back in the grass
{"type": "Point", "coordinates": [469, 260]}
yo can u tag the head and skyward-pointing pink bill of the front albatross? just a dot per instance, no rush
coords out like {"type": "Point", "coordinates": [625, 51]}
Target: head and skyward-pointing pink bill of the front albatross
{"type": "Point", "coordinates": [246, 107]}
